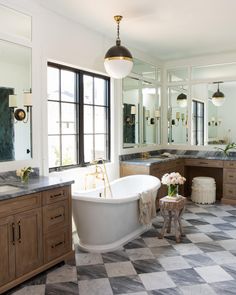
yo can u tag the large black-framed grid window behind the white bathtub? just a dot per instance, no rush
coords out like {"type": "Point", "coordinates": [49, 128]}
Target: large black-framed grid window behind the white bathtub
{"type": "Point", "coordinates": [78, 117]}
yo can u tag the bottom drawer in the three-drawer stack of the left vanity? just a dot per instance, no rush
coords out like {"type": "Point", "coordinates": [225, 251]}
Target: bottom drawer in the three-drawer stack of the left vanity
{"type": "Point", "coordinates": [56, 244]}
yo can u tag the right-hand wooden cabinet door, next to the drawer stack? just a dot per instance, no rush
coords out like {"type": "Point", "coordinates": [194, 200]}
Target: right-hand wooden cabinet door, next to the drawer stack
{"type": "Point", "coordinates": [28, 241]}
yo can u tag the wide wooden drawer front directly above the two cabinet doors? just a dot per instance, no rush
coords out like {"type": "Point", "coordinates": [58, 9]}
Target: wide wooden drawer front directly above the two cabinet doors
{"type": "Point", "coordinates": [20, 204]}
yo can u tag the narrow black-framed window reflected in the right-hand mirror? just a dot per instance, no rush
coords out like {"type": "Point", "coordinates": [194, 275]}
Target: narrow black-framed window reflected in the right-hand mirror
{"type": "Point", "coordinates": [198, 123]}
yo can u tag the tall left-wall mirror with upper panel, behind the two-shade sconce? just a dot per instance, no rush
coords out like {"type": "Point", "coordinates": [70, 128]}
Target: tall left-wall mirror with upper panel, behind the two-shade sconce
{"type": "Point", "coordinates": [15, 87]}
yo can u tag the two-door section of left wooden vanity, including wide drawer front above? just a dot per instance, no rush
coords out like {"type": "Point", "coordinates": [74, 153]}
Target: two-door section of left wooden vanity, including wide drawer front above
{"type": "Point", "coordinates": [20, 237]}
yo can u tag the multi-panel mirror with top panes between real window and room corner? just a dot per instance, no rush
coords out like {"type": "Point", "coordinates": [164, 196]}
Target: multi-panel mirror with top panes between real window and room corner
{"type": "Point", "coordinates": [141, 106]}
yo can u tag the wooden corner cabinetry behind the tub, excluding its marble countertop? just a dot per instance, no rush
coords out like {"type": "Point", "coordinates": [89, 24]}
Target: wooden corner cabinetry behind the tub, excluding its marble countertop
{"type": "Point", "coordinates": [223, 171]}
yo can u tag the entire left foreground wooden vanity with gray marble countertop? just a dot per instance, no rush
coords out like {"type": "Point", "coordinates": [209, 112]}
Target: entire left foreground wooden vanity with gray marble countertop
{"type": "Point", "coordinates": [35, 228]}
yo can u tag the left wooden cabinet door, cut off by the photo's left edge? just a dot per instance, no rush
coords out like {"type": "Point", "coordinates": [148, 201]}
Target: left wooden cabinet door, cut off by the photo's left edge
{"type": "Point", "coordinates": [7, 250]}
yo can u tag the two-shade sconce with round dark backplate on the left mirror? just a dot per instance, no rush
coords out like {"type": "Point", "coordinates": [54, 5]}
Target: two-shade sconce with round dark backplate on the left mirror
{"type": "Point", "coordinates": [20, 114]}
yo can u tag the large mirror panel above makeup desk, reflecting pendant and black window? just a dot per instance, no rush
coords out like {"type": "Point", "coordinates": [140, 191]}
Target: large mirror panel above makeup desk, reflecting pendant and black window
{"type": "Point", "coordinates": [213, 125]}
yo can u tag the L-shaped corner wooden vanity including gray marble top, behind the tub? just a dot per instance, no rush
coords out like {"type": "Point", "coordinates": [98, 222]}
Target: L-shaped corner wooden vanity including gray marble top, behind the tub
{"type": "Point", "coordinates": [190, 164]}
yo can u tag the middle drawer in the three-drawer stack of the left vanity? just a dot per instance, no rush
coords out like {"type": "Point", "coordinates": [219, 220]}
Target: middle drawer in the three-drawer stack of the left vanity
{"type": "Point", "coordinates": [55, 215]}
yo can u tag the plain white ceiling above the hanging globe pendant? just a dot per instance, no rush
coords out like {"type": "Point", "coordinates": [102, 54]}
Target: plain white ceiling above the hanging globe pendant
{"type": "Point", "coordinates": [164, 29]}
